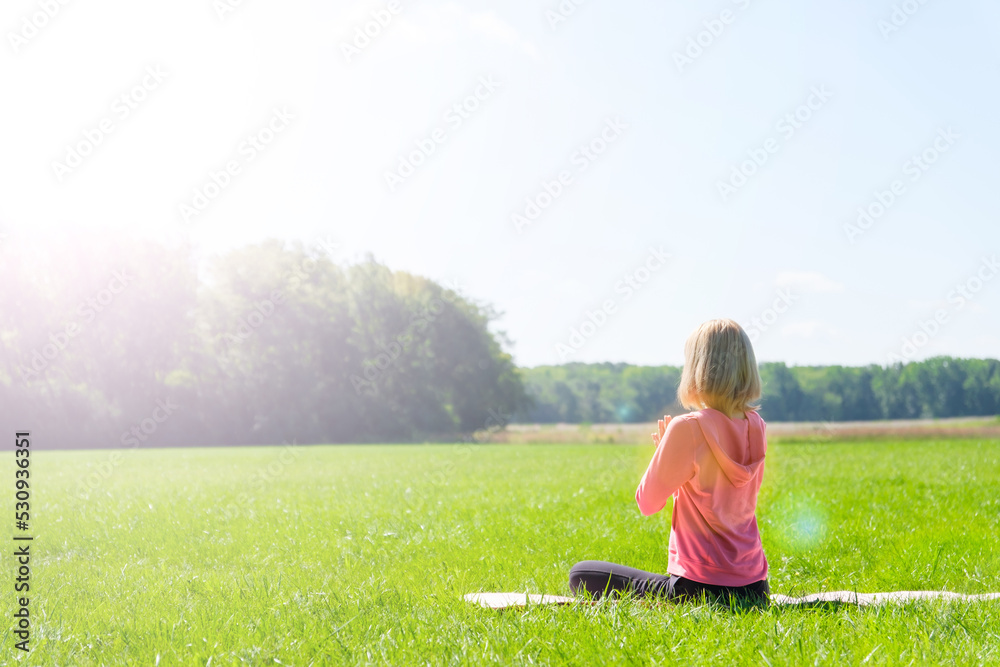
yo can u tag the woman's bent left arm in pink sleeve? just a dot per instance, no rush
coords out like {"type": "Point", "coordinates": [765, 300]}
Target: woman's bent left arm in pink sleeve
{"type": "Point", "coordinates": [672, 465]}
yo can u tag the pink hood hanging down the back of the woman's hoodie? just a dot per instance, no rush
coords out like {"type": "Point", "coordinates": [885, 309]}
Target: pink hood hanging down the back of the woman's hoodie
{"type": "Point", "coordinates": [738, 445]}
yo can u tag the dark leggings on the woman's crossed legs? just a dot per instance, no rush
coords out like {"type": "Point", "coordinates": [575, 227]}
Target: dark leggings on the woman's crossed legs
{"type": "Point", "coordinates": [601, 579]}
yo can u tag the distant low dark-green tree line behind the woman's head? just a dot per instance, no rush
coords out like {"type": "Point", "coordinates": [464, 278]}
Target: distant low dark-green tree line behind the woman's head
{"type": "Point", "coordinates": [608, 392]}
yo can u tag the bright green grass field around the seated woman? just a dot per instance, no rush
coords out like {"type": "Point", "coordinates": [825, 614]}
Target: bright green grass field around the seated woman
{"type": "Point", "coordinates": [354, 555]}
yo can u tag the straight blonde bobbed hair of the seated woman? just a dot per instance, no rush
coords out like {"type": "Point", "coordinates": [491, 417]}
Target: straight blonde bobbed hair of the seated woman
{"type": "Point", "coordinates": [720, 369]}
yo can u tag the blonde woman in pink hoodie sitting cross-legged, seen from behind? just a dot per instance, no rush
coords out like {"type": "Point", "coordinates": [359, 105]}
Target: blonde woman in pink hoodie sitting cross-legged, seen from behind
{"type": "Point", "coordinates": [712, 464]}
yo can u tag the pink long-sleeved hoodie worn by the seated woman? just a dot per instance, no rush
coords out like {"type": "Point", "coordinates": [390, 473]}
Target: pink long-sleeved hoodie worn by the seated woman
{"type": "Point", "coordinates": [712, 465]}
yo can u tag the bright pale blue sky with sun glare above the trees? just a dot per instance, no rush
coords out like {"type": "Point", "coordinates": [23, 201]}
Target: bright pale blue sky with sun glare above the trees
{"type": "Point", "coordinates": [605, 175]}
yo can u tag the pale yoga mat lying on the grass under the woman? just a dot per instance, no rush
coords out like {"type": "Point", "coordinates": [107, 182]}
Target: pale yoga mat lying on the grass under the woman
{"type": "Point", "coordinates": [508, 600]}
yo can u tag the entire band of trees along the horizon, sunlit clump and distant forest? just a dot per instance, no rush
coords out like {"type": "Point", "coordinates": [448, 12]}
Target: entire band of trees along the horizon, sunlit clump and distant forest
{"type": "Point", "coordinates": [131, 343]}
